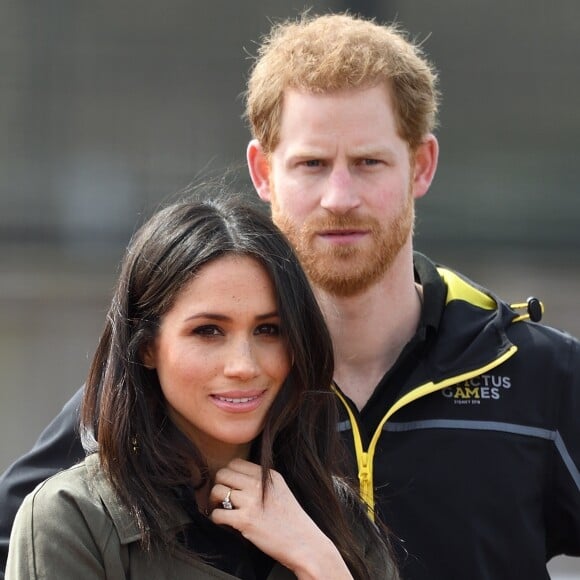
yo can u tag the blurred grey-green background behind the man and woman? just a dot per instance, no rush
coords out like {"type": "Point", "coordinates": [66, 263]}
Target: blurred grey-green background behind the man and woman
{"type": "Point", "coordinates": [108, 108]}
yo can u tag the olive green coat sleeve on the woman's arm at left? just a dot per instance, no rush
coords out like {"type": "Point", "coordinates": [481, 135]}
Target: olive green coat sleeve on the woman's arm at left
{"type": "Point", "coordinates": [62, 532]}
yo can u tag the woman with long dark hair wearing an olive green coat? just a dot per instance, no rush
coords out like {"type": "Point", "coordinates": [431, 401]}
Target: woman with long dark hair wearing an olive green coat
{"type": "Point", "coordinates": [210, 398]}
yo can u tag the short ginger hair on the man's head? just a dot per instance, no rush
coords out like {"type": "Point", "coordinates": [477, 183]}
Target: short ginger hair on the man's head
{"type": "Point", "coordinates": [335, 52]}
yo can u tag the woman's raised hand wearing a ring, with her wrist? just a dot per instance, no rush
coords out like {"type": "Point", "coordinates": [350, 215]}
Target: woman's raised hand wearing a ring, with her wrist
{"type": "Point", "coordinates": [278, 526]}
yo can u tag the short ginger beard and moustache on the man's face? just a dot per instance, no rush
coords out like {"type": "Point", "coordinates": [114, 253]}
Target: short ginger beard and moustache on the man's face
{"type": "Point", "coordinates": [348, 270]}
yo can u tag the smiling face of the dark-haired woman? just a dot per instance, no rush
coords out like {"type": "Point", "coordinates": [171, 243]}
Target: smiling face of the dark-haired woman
{"type": "Point", "coordinates": [220, 355]}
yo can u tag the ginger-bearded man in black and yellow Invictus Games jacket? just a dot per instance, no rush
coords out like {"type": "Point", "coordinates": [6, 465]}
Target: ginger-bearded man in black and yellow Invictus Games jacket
{"type": "Point", "coordinates": [461, 414]}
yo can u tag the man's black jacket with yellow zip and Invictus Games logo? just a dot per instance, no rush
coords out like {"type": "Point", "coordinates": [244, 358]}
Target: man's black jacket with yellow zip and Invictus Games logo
{"type": "Point", "coordinates": [468, 449]}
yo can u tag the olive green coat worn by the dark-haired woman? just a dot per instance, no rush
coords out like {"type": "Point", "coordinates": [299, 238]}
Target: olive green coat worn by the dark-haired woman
{"type": "Point", "coordinates": [86, 534]}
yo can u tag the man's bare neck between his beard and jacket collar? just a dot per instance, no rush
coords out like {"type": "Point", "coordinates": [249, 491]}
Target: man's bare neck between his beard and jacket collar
{"type": "Point", "coordinates": [370, 330]}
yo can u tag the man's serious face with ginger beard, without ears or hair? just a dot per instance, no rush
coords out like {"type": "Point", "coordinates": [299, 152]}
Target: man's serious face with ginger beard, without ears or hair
{"type": "Point", "coordinates": [341, 186]}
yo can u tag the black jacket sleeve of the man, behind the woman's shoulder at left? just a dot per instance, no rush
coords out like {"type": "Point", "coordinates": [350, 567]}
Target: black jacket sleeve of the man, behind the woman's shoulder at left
{"type": "Point", "coordinates": [57, 447]}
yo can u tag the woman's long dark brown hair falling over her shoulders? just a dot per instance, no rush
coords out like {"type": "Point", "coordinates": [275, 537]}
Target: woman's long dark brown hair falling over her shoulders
{"type": "Point", "coordinates": [143, 454]}
